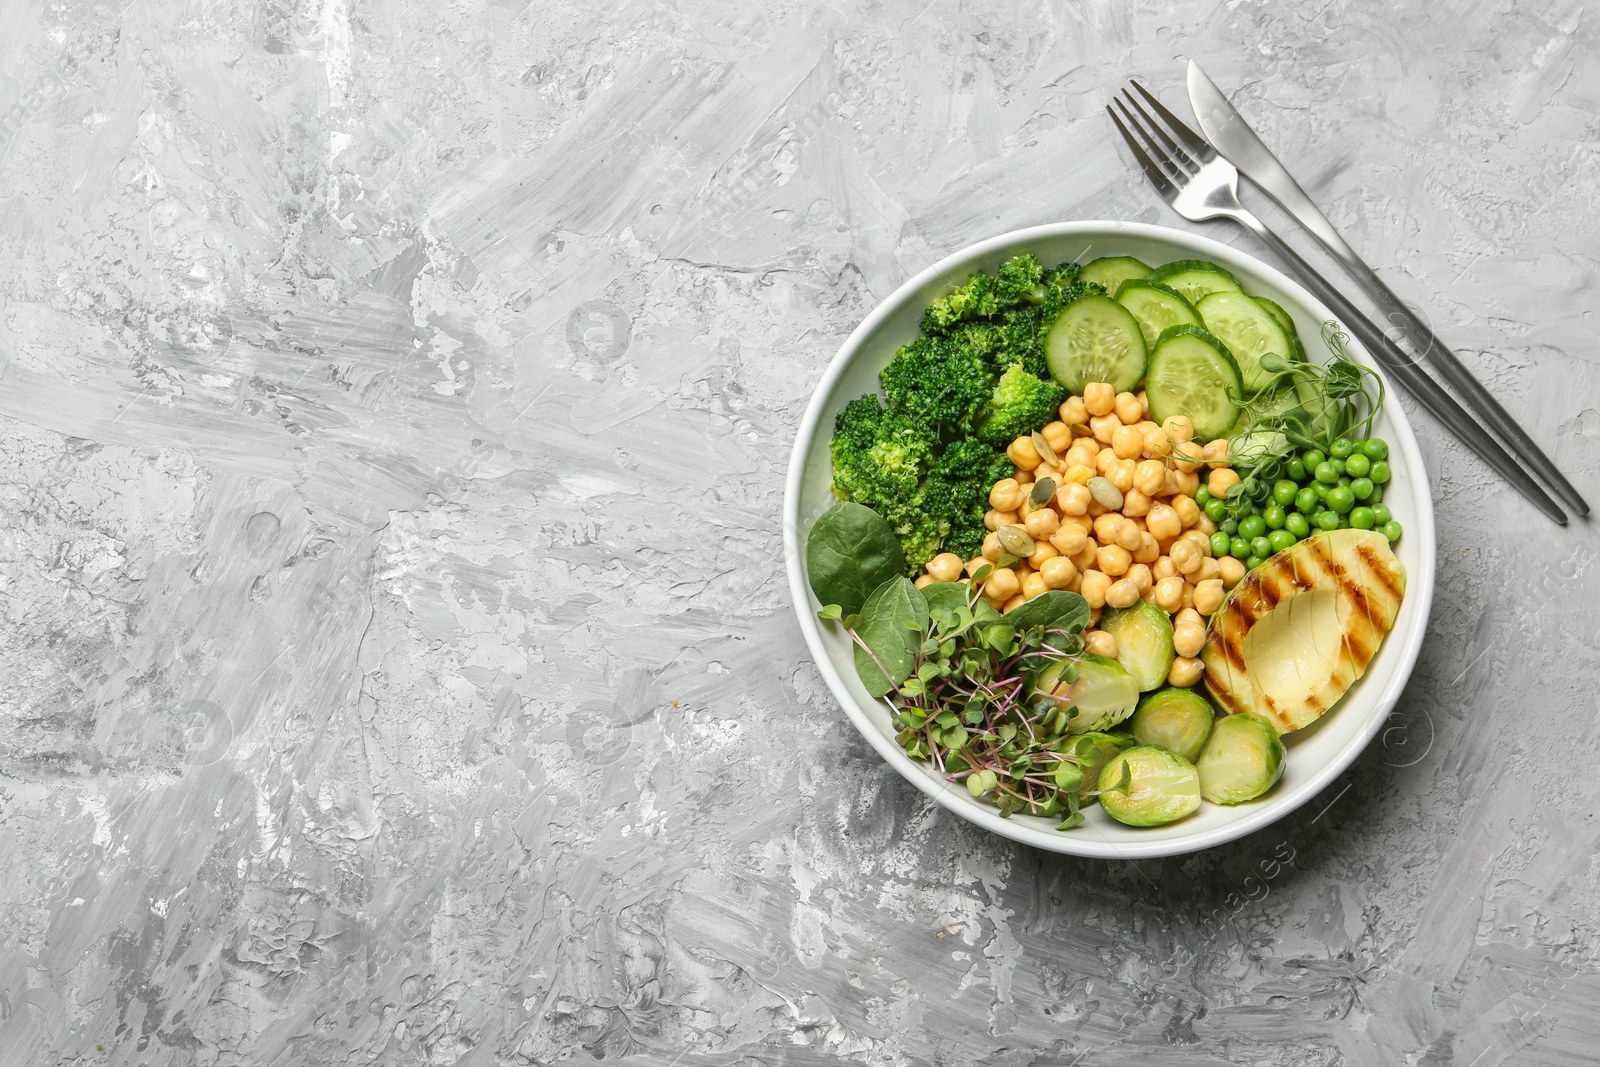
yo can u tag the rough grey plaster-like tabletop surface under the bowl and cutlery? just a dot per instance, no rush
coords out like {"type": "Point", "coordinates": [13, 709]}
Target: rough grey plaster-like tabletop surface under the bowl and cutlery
{"type": "Point", "coordinates": [399, 666]}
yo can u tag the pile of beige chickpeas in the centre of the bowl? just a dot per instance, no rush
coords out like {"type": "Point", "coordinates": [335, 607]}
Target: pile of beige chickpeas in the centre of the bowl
{"type": "Point", "coordinates": [1121, 524]}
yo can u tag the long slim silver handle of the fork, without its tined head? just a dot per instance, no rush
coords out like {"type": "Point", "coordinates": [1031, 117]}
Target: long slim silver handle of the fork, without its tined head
{"type": "Point", "coordinates": [1393, 359]}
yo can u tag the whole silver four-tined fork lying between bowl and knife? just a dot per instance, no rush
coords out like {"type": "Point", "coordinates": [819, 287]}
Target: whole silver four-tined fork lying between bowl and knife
{"type": "Point", "coordinates": [1201, 185]}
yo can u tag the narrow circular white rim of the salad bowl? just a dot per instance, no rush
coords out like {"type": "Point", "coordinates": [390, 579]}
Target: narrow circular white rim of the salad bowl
{"type": "Point", "coordinates": [958, 801]}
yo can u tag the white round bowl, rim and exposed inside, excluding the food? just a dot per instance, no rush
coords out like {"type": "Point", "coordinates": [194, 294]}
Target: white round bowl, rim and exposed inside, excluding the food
{"type": "Point", "coordinates": [1318, 754]}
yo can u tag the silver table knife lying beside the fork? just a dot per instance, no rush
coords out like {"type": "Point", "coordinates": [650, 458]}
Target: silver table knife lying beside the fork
{"type": "Point", "coordinates": [1238, 143]}
